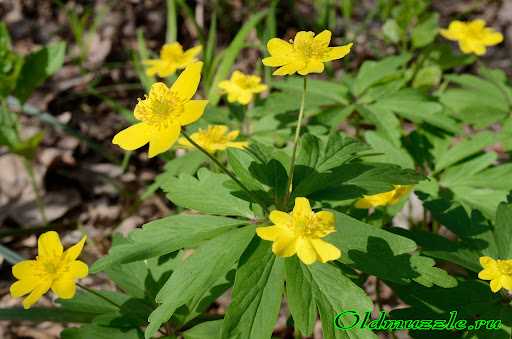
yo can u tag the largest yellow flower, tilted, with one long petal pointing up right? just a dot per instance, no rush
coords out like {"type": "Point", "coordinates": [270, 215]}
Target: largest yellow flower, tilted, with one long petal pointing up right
{"type": "Point", "coordinates": [163, 112]}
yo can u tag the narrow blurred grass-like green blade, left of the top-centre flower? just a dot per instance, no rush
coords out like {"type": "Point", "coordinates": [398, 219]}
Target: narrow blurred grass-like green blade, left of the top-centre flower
{"type": "Point", "coordinates": [230, 55]}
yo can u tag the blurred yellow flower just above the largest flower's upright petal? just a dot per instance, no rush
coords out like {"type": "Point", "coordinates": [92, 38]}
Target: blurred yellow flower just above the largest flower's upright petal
{"type": "Point", "coordinates": [172, 57]}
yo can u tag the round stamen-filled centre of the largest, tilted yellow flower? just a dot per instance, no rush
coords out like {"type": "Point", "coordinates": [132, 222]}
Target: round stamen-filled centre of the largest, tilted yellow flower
{"type": "Point", "coordinates": [160, 110]}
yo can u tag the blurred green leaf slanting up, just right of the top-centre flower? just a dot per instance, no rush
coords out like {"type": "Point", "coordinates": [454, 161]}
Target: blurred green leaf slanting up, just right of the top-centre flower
{"type": "Point", "coordinates": [373, 72]}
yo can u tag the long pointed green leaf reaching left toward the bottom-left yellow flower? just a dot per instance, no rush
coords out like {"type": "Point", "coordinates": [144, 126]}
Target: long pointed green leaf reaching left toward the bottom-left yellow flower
{"type": "Point", "coordinates": [164, 236]}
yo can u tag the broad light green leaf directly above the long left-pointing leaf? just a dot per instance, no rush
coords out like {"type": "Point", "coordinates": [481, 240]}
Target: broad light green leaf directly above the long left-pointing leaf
{"type": "Point", "coordinates": [189, 192]}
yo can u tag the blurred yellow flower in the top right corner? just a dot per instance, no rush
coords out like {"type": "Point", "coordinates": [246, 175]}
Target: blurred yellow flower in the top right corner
{"type": "Point", "coordinates": [473, 36]}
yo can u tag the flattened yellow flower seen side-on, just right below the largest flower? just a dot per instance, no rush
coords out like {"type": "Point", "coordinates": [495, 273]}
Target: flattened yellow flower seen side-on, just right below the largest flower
{"type": "Point", "coordinates": [214, 139]}
